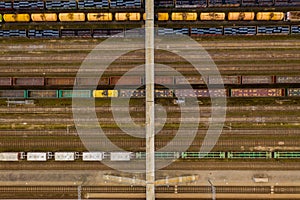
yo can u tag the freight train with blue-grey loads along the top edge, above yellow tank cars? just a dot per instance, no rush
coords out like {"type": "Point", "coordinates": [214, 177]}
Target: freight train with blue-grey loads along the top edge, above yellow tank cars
{"type": "Point", "coordinates": [113, 4]}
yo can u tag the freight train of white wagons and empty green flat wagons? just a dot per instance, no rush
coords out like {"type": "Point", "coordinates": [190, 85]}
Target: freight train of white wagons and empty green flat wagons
{"type": "Point", "coordinates": [127, 156]}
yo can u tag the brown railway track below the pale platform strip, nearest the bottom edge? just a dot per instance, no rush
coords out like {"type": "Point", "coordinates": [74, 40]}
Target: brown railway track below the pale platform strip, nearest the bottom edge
{"type": "Point", "coordinates": [158, 189]}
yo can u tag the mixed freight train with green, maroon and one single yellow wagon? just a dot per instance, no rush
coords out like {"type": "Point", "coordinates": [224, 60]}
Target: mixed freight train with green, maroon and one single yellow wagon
{"type": "Point", "coordinates": [159, 93]}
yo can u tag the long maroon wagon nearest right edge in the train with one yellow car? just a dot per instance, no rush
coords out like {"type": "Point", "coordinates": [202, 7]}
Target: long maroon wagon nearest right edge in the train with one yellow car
{"type": "Point", "coordinates": [258, 92]}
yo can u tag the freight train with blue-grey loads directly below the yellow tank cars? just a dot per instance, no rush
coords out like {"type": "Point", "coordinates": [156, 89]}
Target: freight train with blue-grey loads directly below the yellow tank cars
{"type": "Point", "coordinates": [193, 31]}
